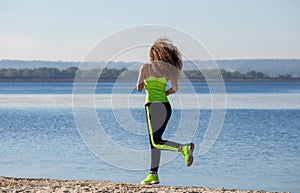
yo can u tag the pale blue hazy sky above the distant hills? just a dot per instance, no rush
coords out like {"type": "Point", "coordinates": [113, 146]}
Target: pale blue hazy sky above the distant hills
{"type": "Point", "coordinates": [67, 30]}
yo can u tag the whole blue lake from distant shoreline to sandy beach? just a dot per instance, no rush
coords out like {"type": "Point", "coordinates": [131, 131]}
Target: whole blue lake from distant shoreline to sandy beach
{"type": "Point", "coordinates": [258, 146]}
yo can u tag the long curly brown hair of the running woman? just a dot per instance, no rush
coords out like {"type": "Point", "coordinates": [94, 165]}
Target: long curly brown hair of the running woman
{"type": "Point", "coordinates": [165, 59]}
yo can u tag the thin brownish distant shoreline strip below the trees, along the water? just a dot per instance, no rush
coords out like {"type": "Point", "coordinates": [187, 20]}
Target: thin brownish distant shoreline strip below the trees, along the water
{"type": "Point", "coordinates": [7, 80]}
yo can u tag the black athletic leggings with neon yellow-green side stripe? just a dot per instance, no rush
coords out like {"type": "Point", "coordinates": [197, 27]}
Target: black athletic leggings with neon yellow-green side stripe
{"type": "Point", "coordinates": [158, 115]}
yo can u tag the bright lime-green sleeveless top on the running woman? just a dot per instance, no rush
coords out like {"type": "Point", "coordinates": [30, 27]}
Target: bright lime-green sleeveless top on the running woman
{"type": "Point", "coordinates": [155, 88]}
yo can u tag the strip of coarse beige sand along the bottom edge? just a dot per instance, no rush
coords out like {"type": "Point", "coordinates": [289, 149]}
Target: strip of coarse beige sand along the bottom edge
{"type": "Point", "coordinates": [27, 185]}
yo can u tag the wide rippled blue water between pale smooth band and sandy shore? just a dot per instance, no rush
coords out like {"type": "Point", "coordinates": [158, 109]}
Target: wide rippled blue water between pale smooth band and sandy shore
{"type": "Point", "coordinates": [257, 149]}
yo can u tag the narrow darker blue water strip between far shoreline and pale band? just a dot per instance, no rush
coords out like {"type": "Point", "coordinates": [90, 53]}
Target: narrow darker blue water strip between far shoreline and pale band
{"type": "Point", "coordinates": [107, 87]}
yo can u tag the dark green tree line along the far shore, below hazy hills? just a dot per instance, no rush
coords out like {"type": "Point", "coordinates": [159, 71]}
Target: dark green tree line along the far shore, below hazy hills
{"type": "Point", "coordinates": [114, 74]}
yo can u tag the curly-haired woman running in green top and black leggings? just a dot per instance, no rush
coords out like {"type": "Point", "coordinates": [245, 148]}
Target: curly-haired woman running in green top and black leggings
{"type": "Point", "coordinates": [165, 65]}
